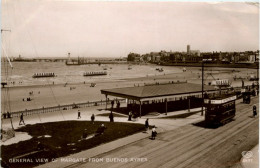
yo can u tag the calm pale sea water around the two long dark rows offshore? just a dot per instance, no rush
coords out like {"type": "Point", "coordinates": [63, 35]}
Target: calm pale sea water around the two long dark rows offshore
{"type": "Point", "coordinates": [23, 71]}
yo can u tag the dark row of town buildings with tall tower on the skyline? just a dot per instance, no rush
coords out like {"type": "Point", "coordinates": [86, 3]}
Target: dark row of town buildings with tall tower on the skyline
{"type": "Point", "coordinates": [195, 56]}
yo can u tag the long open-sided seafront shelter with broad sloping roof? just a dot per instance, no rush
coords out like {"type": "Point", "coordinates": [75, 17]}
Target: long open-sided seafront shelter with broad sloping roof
{"type": "Point", "coordinates": [161, 98]}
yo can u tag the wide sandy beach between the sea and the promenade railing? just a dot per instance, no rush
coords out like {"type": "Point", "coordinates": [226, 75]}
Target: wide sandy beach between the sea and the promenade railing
{"type": "Point", "coordinates": [54, 95]}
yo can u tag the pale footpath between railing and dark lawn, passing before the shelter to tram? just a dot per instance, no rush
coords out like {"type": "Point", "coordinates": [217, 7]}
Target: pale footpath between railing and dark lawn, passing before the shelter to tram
{"type": "Point", "coordinates": [86, 113]}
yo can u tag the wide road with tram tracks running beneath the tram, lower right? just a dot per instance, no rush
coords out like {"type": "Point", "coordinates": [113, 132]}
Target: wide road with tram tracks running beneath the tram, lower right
{"type": "Point", "coordinates": [188, 146]}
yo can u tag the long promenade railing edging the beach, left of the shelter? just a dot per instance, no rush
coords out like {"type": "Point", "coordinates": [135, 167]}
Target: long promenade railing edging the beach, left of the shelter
{"type": "Point", "coordinates": [28, 112]}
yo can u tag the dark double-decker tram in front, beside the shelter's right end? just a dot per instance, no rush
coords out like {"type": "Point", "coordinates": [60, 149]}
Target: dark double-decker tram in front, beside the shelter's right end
{"type": "Point", "coordinates": [219, 109]}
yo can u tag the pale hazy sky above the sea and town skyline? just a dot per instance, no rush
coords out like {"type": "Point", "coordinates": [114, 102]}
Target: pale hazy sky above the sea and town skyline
{"type": "Point", "coordinates": [48, 28]}
